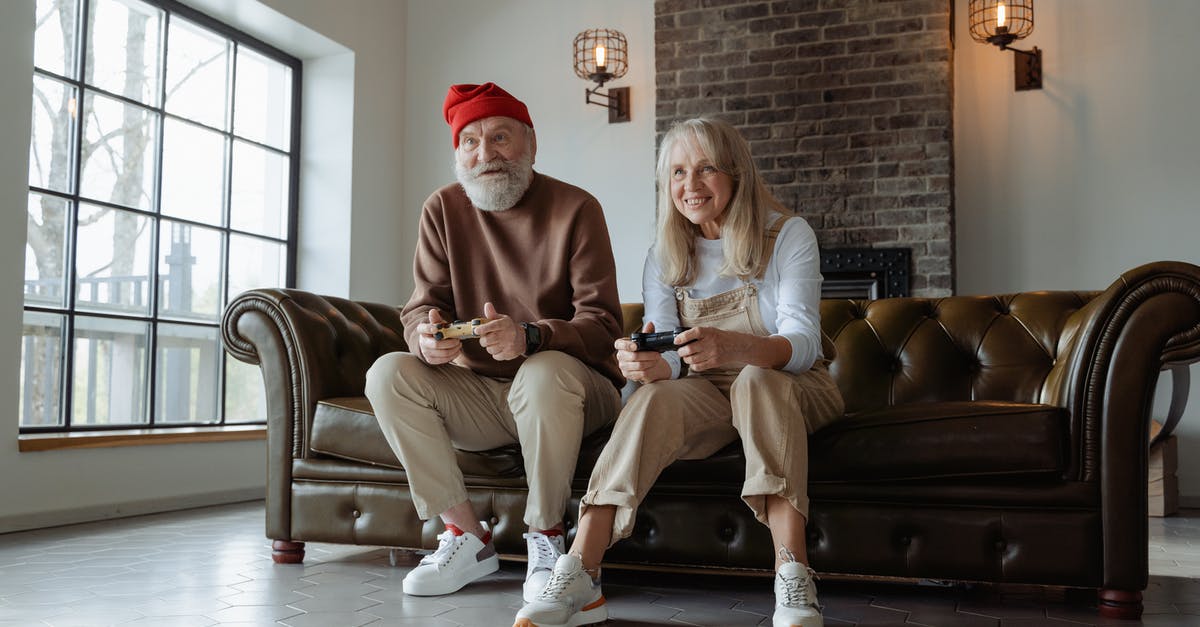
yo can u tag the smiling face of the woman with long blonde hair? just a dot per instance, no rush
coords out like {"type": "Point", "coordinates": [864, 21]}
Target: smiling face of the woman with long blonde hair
{"type": "Point", "coordinates": [700, 192]}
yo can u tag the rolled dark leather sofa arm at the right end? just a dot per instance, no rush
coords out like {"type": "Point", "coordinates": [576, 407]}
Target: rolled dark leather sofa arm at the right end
{"type": "Point", "coordinates": [1111, 356]}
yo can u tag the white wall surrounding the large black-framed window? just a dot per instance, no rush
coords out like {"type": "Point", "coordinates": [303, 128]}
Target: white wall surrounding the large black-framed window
{"type": "Point", "coordinates": [352, 220]}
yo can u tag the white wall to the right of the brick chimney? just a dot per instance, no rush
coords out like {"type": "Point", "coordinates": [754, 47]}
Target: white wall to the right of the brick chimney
{"type": "Point", "coordinates": [1099, 172]}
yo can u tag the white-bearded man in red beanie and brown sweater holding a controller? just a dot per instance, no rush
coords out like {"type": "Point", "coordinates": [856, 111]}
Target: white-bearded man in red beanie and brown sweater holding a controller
{"type": "Point", "coordinates": [532, 256]}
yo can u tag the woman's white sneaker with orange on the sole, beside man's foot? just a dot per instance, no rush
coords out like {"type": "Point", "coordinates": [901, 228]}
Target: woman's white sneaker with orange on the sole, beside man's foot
{"type": "Point", "coordinates": [569, 600]}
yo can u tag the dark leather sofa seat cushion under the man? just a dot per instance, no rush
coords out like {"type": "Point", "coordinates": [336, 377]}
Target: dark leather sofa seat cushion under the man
{"type": "Point", "coordinates": [346, 428]}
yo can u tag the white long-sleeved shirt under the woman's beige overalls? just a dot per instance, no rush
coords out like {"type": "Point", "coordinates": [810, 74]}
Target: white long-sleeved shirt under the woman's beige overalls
{"type": "Point", "coordinates": [789, 294]}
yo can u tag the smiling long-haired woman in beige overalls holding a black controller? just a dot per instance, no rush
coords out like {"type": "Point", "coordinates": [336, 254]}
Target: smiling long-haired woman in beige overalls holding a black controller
{"type": "Point", "coordinates": [743, 277]}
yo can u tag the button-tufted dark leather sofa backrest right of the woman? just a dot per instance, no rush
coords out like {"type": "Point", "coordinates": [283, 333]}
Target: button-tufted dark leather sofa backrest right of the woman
{"type": "Point", "coordinates": [958, 349]}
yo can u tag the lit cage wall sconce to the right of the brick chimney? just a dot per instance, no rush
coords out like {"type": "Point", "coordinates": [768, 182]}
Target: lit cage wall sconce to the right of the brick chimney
{"type": "Point", "coordinates": [1003, 22]}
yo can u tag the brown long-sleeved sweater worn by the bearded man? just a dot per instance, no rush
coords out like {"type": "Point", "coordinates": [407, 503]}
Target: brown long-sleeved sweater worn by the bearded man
{"type": "Point", "coordinates": [548, 260]}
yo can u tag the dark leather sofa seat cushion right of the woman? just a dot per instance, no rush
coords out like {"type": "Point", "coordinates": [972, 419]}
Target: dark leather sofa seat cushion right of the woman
{"type": "Point", "coordinates": [941, 440]}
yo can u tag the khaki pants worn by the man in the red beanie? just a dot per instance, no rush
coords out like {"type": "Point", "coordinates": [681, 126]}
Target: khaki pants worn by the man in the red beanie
{"type": "Point", "coordinates": [427, 413]}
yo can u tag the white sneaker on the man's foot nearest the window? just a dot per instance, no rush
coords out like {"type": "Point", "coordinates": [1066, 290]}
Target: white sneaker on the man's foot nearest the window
{"type": "Point", "coordinates": [460, 559]}
